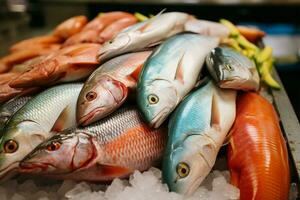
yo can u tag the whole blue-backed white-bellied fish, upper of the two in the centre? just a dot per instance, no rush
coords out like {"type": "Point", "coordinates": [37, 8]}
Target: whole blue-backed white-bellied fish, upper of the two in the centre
{"type": "Point", "coordinates": [170, 73]}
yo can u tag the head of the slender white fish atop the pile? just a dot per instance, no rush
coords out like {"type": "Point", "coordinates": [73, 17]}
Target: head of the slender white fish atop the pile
{"type": "Point", "coordinates": [116, 46]}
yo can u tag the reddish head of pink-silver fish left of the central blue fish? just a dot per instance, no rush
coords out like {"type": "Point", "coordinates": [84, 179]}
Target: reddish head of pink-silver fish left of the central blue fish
{"type": "Point", "coordinates": [98, 98]}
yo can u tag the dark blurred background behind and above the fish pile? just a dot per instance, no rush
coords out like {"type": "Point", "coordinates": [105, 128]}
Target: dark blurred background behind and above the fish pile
{"type": "Point", "coordinates": [280, 19]}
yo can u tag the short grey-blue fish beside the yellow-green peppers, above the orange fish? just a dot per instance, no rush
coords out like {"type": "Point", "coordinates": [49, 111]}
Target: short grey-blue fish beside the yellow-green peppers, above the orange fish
{"type": "Point", "coordinates": [230, 69]}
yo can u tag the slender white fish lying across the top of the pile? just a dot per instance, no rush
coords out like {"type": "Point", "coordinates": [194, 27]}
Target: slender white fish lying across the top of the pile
{"type": "Point", "coordinates": [144, 34]}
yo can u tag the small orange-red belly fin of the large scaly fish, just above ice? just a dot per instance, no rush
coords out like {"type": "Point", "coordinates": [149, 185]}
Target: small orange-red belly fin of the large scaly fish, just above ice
{"type": "Point", "coordinates": [113, 171]}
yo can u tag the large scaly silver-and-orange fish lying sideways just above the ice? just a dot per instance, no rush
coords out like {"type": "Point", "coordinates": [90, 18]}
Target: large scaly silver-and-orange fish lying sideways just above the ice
{"type": "Point", "coordinates": [110, 148]}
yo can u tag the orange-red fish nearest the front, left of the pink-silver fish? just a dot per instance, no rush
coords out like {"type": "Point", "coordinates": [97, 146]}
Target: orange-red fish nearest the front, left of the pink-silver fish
{"type": "Point", "coordinates": [72, 63]}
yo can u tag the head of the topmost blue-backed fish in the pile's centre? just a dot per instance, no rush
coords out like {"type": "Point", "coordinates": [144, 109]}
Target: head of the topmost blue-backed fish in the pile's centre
{"type": "Point", "coordinates": [156, 100]}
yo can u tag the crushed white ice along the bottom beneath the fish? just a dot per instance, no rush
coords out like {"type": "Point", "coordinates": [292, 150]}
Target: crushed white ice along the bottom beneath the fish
{"type": "Point", "coordinates": [146, 185]}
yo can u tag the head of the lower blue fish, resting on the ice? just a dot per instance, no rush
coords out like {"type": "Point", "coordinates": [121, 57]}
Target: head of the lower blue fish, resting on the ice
{"type": "Point", "coordinates": [187, 163]}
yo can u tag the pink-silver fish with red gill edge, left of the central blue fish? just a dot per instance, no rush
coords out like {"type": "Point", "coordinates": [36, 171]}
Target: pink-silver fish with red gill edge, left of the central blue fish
{"type": "Point", "coordinates": [109, 86]}
